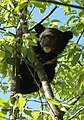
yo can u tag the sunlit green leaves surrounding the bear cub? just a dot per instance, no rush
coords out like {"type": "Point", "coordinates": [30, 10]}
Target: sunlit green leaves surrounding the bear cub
{"type": "Point", "coordinates": [68, 81]}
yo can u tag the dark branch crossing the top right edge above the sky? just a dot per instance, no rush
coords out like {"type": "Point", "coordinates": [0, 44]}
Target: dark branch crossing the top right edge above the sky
{"type": "Point", "coordinates": [63, 4]}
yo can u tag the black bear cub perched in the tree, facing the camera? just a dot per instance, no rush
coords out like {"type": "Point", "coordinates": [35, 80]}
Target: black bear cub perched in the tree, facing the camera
{"type": "Point", "coordinates": [51, 42]}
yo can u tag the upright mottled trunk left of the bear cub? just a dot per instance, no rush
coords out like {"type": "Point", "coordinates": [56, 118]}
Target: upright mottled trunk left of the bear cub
{"type": "Point", "coordinates": [14, 114]}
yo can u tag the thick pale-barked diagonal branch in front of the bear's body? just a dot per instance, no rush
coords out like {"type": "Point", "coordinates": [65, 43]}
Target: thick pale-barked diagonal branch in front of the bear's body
{"type": "Point", "coordinates": [56, 113]}
